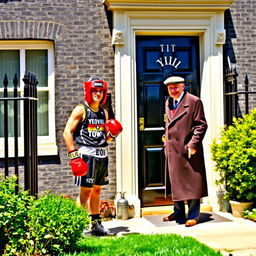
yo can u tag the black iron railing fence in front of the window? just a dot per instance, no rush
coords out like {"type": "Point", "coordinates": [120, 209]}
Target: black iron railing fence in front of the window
{"type": "Point", "coordinates": [30, 130]}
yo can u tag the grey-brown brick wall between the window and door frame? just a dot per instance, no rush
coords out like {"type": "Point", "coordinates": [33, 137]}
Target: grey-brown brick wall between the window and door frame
{"type": "Point", "coordinates": [81, 34]}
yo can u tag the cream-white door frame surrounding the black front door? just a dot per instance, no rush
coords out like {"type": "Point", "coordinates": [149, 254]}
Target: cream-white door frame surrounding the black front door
{"type": "Point", "coordinates": [209, 26]}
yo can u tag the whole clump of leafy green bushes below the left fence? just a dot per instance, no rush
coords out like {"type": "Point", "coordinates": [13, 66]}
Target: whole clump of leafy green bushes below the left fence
{"type": "Point", "coordinates": [46, 226]}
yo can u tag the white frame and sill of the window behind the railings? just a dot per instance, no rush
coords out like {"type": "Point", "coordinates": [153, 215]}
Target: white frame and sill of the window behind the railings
{"type": "Point", "coordinates": [46, 144]}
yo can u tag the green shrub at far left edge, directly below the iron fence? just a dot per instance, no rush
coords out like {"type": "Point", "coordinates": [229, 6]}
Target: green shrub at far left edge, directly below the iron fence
{"type": "Point", "coordinates": [13, 216]}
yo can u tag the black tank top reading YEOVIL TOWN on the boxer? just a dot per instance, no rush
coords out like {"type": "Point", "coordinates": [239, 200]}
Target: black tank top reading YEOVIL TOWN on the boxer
{"type": "Point", "coordinates": [91, 131]}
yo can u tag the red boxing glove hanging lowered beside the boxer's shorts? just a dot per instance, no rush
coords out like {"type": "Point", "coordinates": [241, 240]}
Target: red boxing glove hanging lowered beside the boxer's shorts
{"type": "Point", "coordinates": [78, 165]}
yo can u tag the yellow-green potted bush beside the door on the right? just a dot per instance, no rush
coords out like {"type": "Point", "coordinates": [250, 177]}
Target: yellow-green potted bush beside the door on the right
{"type": "Point", "coordinates": [234, 153]}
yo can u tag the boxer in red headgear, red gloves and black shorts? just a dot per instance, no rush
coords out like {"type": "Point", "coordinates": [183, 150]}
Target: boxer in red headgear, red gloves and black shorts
{"type": "Point", "coordinates": [89, 128]}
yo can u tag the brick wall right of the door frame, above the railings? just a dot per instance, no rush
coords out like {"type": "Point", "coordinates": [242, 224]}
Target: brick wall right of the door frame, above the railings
{"type": "Point", "coordinates": [240, 23]}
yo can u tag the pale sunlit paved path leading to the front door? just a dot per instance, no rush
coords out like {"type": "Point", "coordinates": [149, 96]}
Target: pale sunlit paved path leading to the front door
{"type": "Point", "coordinates": [220, 231]}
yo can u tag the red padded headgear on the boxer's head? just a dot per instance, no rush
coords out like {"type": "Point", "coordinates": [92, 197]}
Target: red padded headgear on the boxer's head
{"type": "Point", "coordinates": [95, 83]}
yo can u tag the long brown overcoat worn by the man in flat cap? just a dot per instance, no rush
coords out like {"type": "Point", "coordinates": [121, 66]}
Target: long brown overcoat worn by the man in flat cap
{"type": "Point", "coordinates": [186, 128]}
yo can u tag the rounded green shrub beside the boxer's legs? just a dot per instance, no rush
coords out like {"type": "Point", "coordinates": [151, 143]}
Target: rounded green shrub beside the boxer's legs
{"type": "Point", "coordinates": [55, 224]}
